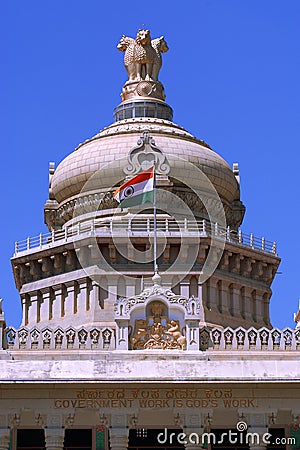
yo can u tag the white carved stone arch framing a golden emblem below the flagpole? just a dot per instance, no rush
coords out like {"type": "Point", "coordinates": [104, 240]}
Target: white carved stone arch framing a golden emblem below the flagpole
{"type": "Point", "coordinates": [157, 319]}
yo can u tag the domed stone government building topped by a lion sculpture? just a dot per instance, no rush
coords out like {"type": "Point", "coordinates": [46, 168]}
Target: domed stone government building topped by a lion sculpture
{"type": "Point", "coordinates": [110, 353]}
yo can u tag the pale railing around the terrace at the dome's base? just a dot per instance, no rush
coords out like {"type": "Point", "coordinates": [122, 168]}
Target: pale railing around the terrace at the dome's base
{"type": "Point", "coordinates": [144, 227]}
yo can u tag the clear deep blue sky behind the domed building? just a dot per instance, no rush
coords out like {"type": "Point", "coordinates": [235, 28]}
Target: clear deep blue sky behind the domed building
{"type": "Point", "coordinates": [231, 76]}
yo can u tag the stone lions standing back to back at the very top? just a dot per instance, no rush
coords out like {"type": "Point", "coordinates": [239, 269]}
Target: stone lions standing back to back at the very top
{"type": "Point", "coordinates": [142, 57]}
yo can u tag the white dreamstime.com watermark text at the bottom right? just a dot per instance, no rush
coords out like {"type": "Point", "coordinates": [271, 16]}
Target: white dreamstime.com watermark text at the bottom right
{"type": "Point", "coordinates": [240, 436]}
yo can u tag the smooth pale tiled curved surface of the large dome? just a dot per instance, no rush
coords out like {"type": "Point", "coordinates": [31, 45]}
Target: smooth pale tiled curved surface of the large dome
{"type": "Point", "coordinates": [117, 140]}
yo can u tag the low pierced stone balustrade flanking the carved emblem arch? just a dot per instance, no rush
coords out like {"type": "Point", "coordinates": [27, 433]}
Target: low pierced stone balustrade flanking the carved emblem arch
{"type": "Point", "coordinates": [103, 338]}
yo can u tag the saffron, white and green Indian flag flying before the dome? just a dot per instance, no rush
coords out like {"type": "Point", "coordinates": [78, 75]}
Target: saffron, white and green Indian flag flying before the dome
{"type": "Point", "coordinates": [137, 191]}
